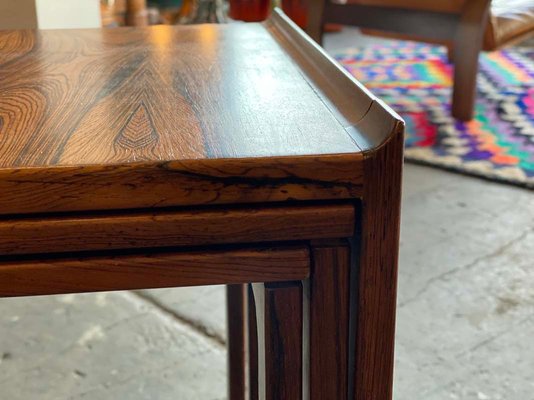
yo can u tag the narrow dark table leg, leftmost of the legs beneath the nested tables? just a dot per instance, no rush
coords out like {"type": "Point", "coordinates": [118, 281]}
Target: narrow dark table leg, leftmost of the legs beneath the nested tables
{"type": "Point", "coordinates": [235, 307]}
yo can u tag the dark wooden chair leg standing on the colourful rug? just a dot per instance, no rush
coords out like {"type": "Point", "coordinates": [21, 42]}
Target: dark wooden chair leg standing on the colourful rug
{"type": "Point", "coordinates": [467, 46]}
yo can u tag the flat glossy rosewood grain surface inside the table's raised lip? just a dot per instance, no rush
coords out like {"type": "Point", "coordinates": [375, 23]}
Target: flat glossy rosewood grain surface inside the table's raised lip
{"type": "Point", "coordinates": [162, 93]}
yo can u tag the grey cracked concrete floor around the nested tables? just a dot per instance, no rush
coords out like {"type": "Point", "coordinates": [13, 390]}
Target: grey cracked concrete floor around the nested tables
{"type": "Point", "coordinates": [465, 317]}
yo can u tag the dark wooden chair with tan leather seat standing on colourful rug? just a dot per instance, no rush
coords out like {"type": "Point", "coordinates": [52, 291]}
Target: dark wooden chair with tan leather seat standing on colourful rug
{"type": "Point", "coordinates": [459, 24]}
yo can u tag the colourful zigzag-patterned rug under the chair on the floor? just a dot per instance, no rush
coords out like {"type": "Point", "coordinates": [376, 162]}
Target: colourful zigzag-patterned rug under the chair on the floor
{"type": "Point", "coordinates": [415, 80]}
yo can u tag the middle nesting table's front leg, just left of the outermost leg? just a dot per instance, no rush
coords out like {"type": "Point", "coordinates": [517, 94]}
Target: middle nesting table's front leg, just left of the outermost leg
{"type": "Point", "coordinates": [327, 299]}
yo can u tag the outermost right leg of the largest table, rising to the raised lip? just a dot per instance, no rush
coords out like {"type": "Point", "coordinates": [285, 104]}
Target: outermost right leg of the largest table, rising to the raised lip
{"type": "Point", "coordinates": [375, 287]}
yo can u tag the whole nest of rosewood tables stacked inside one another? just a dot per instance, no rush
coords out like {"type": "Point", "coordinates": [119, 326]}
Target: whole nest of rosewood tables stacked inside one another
{"type": "Point", "coordinates": [212, 154]}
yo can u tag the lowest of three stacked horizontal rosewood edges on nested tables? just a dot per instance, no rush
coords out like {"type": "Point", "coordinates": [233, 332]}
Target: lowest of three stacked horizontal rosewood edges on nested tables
{"type": "Point", "coordinates": [26, 277]}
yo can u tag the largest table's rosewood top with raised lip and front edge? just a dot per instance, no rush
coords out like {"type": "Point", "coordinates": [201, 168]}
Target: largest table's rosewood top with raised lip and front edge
{"type": "Point", "coordinates": [165, 116]}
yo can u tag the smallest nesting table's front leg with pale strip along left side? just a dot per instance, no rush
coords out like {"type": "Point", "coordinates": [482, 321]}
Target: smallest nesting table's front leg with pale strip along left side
{"type": "Point", "coordinates": [279, 320]}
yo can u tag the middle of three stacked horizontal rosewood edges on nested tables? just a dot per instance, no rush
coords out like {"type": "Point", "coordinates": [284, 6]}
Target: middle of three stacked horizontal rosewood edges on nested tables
{"type": "Point", "coordinates": [108, 231]}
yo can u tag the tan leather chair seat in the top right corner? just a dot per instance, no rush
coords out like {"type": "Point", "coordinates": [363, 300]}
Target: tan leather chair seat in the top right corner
{"type": "Point", "coordinates": [510, 20]}
